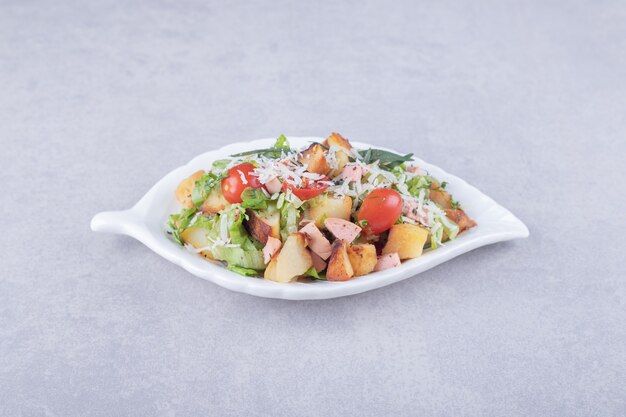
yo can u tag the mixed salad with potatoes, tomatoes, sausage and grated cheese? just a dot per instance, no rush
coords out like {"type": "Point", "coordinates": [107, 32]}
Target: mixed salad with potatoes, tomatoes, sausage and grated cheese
{"type": "Point", "coordinates": [326, 212]}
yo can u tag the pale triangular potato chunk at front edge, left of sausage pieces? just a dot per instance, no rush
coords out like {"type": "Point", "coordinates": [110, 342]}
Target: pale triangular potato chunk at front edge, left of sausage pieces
{"type": "Point", "coordinates": [292, 261]}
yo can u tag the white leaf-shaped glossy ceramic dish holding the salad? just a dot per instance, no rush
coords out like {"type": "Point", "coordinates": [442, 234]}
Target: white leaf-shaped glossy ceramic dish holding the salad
{"type": "Point", "coordinates": [145, 221]}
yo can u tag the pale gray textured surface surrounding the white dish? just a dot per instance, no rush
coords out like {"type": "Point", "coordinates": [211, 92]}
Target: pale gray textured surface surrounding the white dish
{"type": "Point", "coordinates": [525, 100]}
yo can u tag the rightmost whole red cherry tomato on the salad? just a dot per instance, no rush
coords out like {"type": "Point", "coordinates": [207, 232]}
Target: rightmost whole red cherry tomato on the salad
{"type": "Point", "coordinates": [381, 208]}
